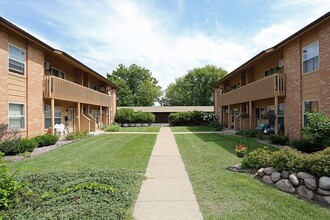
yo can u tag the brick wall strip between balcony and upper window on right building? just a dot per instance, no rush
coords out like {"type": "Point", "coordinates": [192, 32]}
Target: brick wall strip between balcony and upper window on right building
{"type": "Point", "coordinates": [293, 99]}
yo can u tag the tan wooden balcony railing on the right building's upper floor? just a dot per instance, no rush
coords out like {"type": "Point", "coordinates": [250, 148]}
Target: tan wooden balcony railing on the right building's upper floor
{"type": "Point", "coordinates": [267, 87]}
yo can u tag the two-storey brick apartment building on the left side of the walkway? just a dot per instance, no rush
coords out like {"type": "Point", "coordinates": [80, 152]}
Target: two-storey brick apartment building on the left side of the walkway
{"type": "Point", "coordinates": [41, 86]}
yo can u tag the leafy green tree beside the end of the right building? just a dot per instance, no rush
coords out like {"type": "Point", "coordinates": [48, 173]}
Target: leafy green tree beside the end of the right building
{"type": "Point", "coordinates": [195, 88]}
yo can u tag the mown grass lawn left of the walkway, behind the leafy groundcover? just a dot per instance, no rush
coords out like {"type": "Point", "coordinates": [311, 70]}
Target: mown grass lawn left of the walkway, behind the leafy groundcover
{"type": "Point", "coordinates": [99, 152]}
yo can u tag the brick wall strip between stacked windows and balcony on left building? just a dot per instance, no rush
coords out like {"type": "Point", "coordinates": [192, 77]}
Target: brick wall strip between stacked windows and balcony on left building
{"type": "Point", "coordinates": [35, 72]}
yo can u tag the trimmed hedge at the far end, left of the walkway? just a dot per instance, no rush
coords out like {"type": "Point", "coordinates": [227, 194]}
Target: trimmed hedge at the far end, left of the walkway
{"type": "Point", "coordinates": [129, 116]}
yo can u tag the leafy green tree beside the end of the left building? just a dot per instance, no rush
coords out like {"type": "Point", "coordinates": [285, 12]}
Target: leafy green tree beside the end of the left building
{"type": "Point", "coordinates": [136, 86]}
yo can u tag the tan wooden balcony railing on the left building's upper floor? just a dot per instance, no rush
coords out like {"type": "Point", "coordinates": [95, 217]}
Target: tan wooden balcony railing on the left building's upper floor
{"type": "Point", "coordinates": [61, 89]}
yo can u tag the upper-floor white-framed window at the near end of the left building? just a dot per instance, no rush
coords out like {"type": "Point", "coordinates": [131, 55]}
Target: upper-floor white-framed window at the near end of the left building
{"type": "Point", "coordinates": [16, 60]}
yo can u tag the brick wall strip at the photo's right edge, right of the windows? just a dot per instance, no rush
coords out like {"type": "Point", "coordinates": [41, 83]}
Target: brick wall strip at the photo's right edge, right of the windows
{"type": "Point", "coordinates": [324, 43]}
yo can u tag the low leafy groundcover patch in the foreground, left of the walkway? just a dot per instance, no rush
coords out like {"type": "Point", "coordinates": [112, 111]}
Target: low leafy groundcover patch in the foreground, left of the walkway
{"type": "Point", "coordinates": [90, 194]}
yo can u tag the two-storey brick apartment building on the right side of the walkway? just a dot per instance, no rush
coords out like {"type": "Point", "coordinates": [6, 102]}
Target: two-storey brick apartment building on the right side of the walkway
{"type": "Point", "coordinates": [279, 85]}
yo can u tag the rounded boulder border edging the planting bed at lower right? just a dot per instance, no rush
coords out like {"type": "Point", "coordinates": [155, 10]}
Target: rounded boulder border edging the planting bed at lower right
{"type": "Point", "coordinates": [302, 184]}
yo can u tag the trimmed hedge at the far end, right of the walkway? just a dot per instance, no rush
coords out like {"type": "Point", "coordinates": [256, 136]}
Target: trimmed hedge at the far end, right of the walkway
{"type": "Point", "coordinates": [192, 118]}
